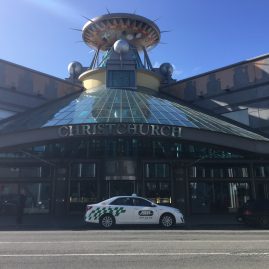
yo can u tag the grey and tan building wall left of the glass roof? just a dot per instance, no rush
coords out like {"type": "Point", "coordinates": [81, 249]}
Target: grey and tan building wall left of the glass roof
{"type": "Point", "coordinates": [22, 88]}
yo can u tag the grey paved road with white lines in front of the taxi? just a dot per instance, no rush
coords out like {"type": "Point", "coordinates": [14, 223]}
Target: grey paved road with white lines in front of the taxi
{"type": "Point", "coordinates": [135, 249]}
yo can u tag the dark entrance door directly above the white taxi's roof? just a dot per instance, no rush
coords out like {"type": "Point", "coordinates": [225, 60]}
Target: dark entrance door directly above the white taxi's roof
{"type": "Point", "coordinates": [120, 187]}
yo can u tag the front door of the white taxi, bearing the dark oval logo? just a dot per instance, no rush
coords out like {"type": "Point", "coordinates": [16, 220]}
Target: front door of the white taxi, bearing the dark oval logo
{"type": "Point", "coordinates": [145, 212]}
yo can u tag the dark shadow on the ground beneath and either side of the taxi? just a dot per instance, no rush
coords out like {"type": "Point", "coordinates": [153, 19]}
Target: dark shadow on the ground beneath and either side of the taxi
{"type": "Point", "coordinates": [76, 222]}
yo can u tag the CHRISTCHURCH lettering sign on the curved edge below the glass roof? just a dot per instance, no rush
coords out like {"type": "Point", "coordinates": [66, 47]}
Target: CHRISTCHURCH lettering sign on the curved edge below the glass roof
{"type": "Point", "coordinates": [119, 129]}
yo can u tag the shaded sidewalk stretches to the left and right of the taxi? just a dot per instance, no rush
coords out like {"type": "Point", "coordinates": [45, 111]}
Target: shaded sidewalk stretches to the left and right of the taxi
{"type": "Point", "coordinates": [76, 222]}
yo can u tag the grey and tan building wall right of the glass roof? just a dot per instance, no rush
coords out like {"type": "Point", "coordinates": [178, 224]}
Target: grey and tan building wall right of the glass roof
{"type": "Point", "coordinates": [239, 92]}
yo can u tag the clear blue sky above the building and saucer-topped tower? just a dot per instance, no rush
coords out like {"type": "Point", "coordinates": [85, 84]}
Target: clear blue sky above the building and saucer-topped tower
{"type": "Point", "coordinates": [205, 34]}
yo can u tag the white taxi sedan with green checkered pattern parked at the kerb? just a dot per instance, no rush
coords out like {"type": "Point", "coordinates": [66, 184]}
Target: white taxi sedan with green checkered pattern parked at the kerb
{"type": "Point", "coordinates": [132, 210]}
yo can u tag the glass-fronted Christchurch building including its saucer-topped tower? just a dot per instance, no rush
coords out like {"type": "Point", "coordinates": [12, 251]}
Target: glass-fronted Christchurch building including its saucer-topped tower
{"type": "Point", "coordinates": [129, 128]}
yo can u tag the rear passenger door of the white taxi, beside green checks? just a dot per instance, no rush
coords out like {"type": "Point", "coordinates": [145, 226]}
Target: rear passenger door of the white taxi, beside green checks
{"type": "Point", "coordinates": [122, 209]}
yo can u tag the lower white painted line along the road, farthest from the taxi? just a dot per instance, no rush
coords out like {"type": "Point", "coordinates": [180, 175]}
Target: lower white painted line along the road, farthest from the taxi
{"type": "Point", "coordinates": [140, 254]}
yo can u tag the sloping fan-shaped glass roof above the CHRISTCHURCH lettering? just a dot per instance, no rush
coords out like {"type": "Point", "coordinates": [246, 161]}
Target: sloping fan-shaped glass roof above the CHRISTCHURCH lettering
{"type": "Point", "coordinates": [120, 105]}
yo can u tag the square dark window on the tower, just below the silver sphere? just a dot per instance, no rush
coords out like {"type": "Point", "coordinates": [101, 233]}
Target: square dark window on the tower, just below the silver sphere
{"type": "Point", "coordinates": [121, 78]}
